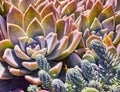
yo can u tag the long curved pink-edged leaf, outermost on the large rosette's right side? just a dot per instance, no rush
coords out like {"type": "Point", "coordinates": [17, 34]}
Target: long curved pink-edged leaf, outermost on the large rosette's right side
{"type": "Point", "coordinates": [74, 39]}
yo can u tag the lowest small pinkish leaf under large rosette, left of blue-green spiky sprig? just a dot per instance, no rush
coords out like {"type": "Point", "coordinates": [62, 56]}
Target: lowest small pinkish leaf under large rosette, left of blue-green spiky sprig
{"type": "Point", "coordinates": [33, 80]}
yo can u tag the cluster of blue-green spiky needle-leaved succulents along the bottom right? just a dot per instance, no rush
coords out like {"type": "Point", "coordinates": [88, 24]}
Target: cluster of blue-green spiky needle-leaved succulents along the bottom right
{"type": "Point", "coordinates": [102, 75]}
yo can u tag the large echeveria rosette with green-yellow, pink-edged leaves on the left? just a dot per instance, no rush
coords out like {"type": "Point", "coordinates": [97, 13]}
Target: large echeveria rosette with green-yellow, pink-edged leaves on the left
{"type": "Point", "coordinates": [29, 36]}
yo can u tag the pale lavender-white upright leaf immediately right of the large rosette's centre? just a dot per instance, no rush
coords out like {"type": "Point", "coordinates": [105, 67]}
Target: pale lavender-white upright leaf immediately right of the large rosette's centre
{"type": "Point", "coordinates": [51, 41]}
